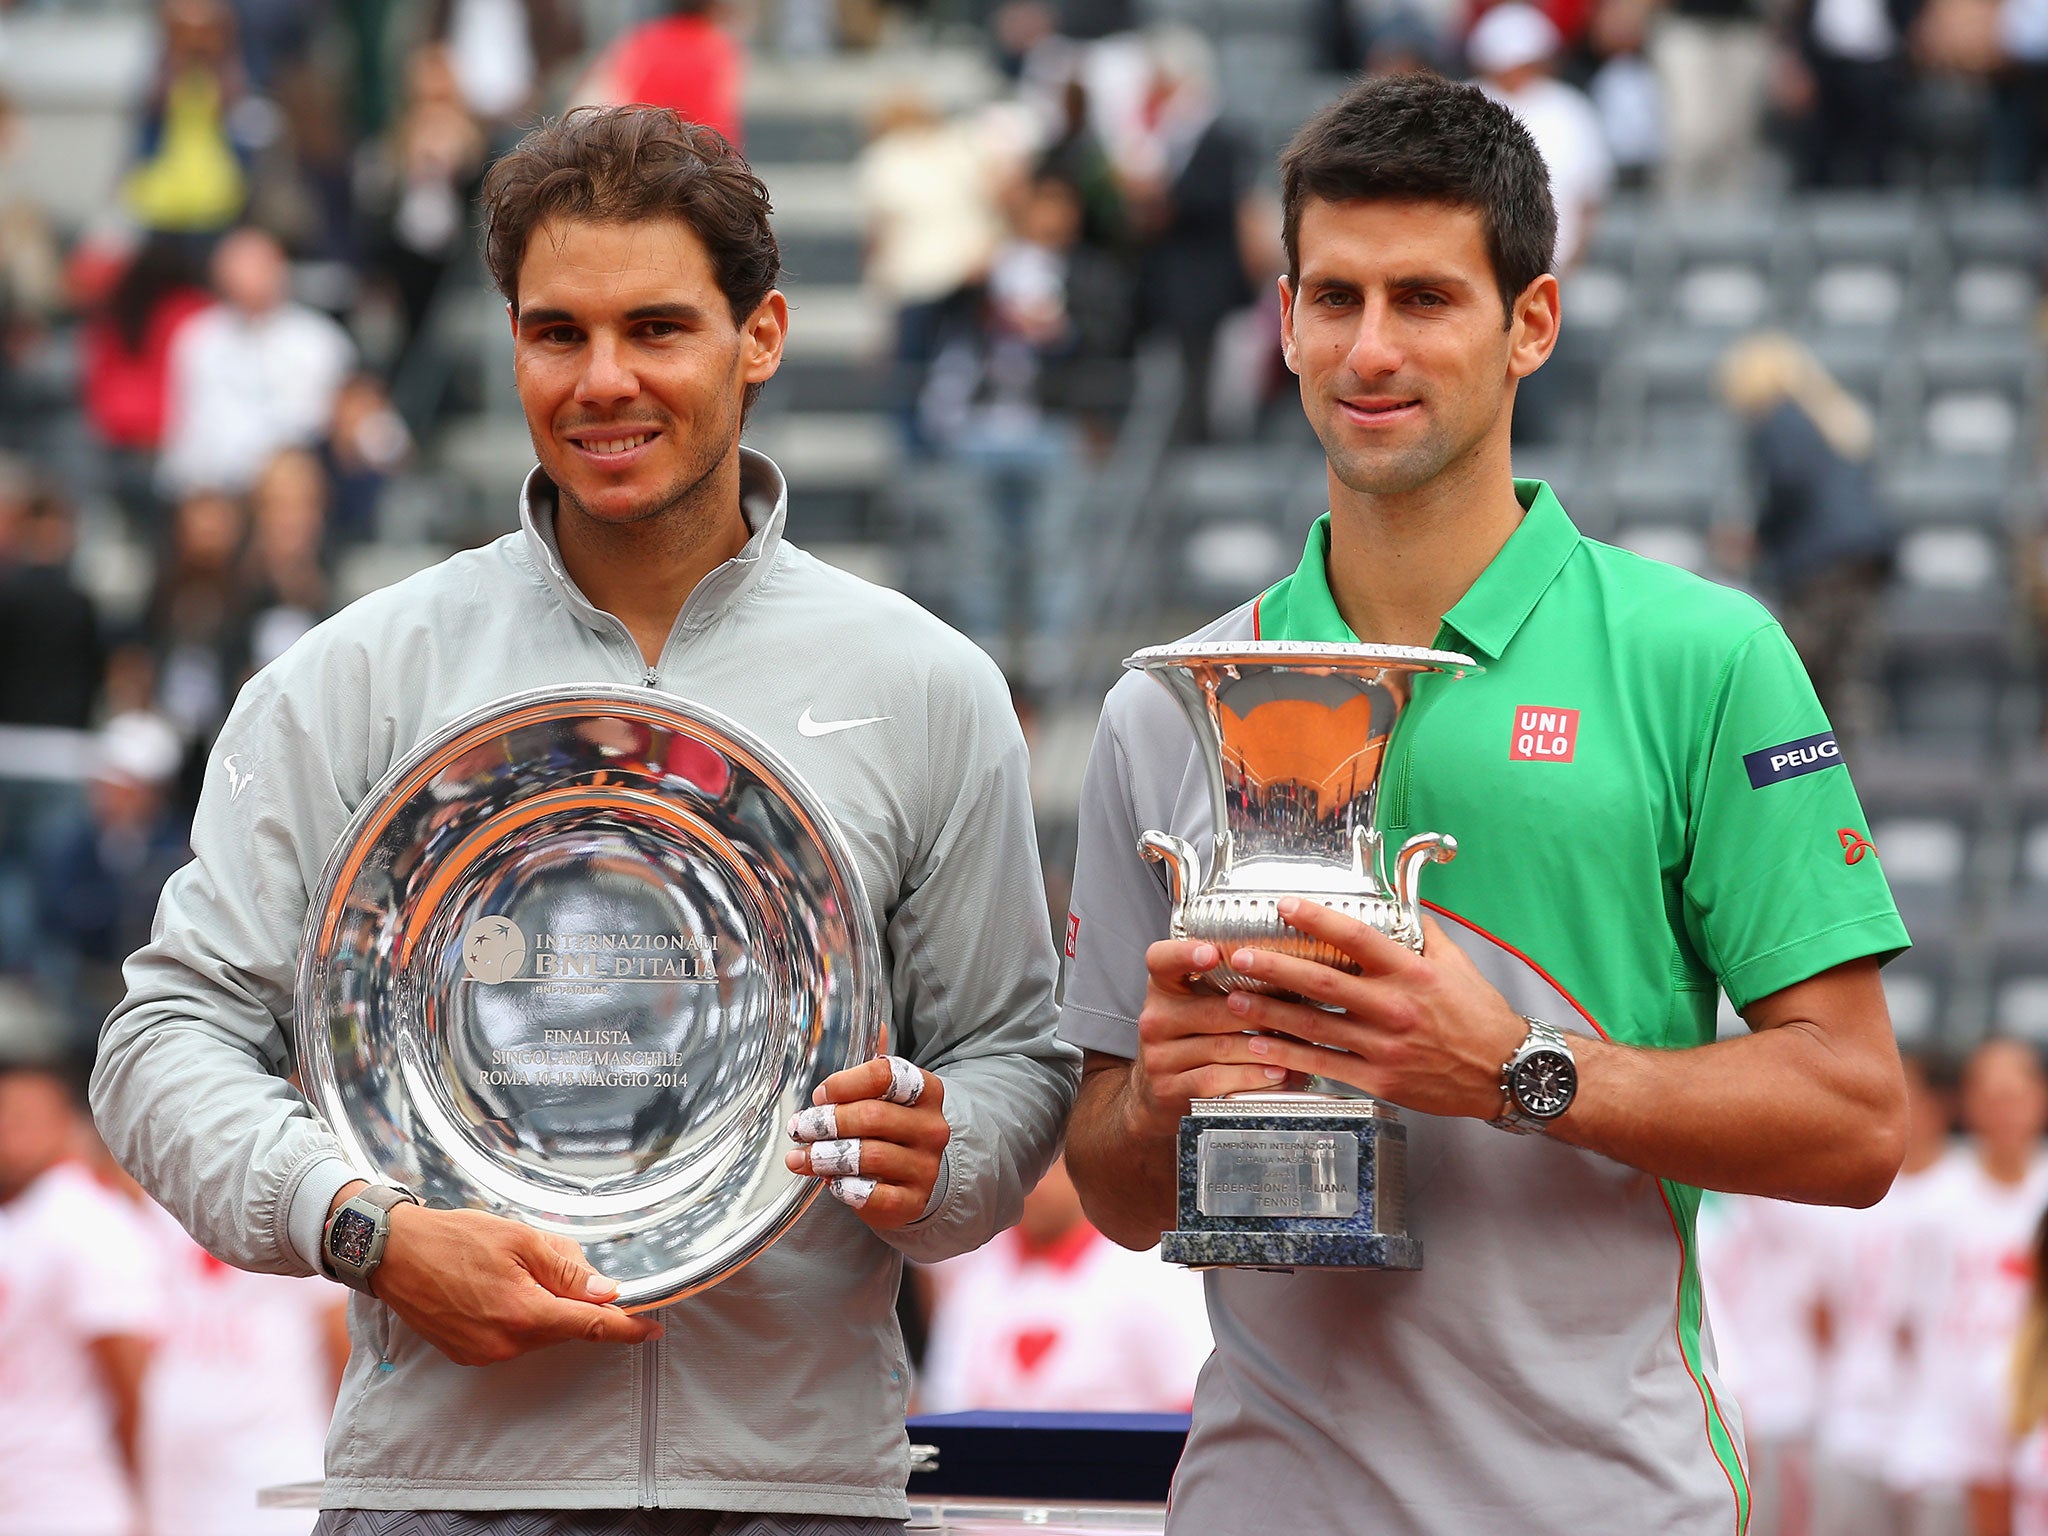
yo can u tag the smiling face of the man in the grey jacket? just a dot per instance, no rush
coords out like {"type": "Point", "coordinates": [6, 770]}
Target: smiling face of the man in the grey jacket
{"type": "Point", "coordinates": [632, 368]}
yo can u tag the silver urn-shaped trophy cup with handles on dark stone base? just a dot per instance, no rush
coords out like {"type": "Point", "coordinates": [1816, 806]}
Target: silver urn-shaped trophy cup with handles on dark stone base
{"type": "Point", "coordinates": [1293, 742]}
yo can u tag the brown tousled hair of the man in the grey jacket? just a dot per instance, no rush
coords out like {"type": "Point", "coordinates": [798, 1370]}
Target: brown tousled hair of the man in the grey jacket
{"type": "Point", "coordinates": [624, 165]}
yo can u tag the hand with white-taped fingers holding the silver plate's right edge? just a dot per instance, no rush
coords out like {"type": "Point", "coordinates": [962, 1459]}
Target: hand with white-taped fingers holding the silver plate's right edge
{"type": "Point", "coordinates": [880, 1152]}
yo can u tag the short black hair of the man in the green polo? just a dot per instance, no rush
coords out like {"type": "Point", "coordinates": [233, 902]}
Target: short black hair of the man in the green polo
{"type": "Point", "coordinates": [1420, 138]}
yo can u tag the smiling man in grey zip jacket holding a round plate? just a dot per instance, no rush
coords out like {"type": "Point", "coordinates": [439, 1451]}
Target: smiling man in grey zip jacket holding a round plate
{"type": "Point", "coordinates": [640, 271]}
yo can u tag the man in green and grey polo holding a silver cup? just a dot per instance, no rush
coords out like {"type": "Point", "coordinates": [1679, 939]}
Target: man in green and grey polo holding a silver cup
{"type": "Point", "coordinates": [1650, 808]}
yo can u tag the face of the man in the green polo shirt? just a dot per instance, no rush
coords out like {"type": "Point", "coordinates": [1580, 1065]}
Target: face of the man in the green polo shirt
{"type": "Point", "coordinates": [1398, 335]}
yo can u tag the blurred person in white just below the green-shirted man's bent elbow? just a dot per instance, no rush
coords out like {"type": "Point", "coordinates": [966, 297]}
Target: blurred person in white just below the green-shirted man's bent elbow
{"type": "Point", "coordinates": [1762, 1267]}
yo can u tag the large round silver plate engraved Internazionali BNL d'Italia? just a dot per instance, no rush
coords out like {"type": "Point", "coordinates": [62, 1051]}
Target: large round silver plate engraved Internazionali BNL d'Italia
{"type": "Point", "coordinates": [577, 962]}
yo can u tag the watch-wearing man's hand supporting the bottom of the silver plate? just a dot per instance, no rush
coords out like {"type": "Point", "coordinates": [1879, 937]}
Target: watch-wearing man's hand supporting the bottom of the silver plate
{"type": "Point", "coordinates": [484, 1289]}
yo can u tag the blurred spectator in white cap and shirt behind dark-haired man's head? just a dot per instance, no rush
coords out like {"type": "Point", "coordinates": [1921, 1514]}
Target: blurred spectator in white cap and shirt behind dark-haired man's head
{"type": "Point", "coordinates": [1514, 52]}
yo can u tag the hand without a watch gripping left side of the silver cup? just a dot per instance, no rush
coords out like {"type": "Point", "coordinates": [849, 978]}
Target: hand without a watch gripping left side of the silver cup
{"type": "Point", "coordinates": [1191, 1046]}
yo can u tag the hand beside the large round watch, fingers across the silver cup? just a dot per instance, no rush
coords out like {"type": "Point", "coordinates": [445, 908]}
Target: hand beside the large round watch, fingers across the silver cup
{"type": "Point", "coordinates": [1420, 1031]}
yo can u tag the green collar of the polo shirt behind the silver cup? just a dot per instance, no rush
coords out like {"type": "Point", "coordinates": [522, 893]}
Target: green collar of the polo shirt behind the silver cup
{"type": "Point", "coordinates": [1486, 617]}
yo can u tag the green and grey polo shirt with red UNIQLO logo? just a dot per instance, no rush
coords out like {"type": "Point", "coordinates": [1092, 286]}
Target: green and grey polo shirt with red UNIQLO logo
{"type": "Point", "coordinates": [1648, 804]}
